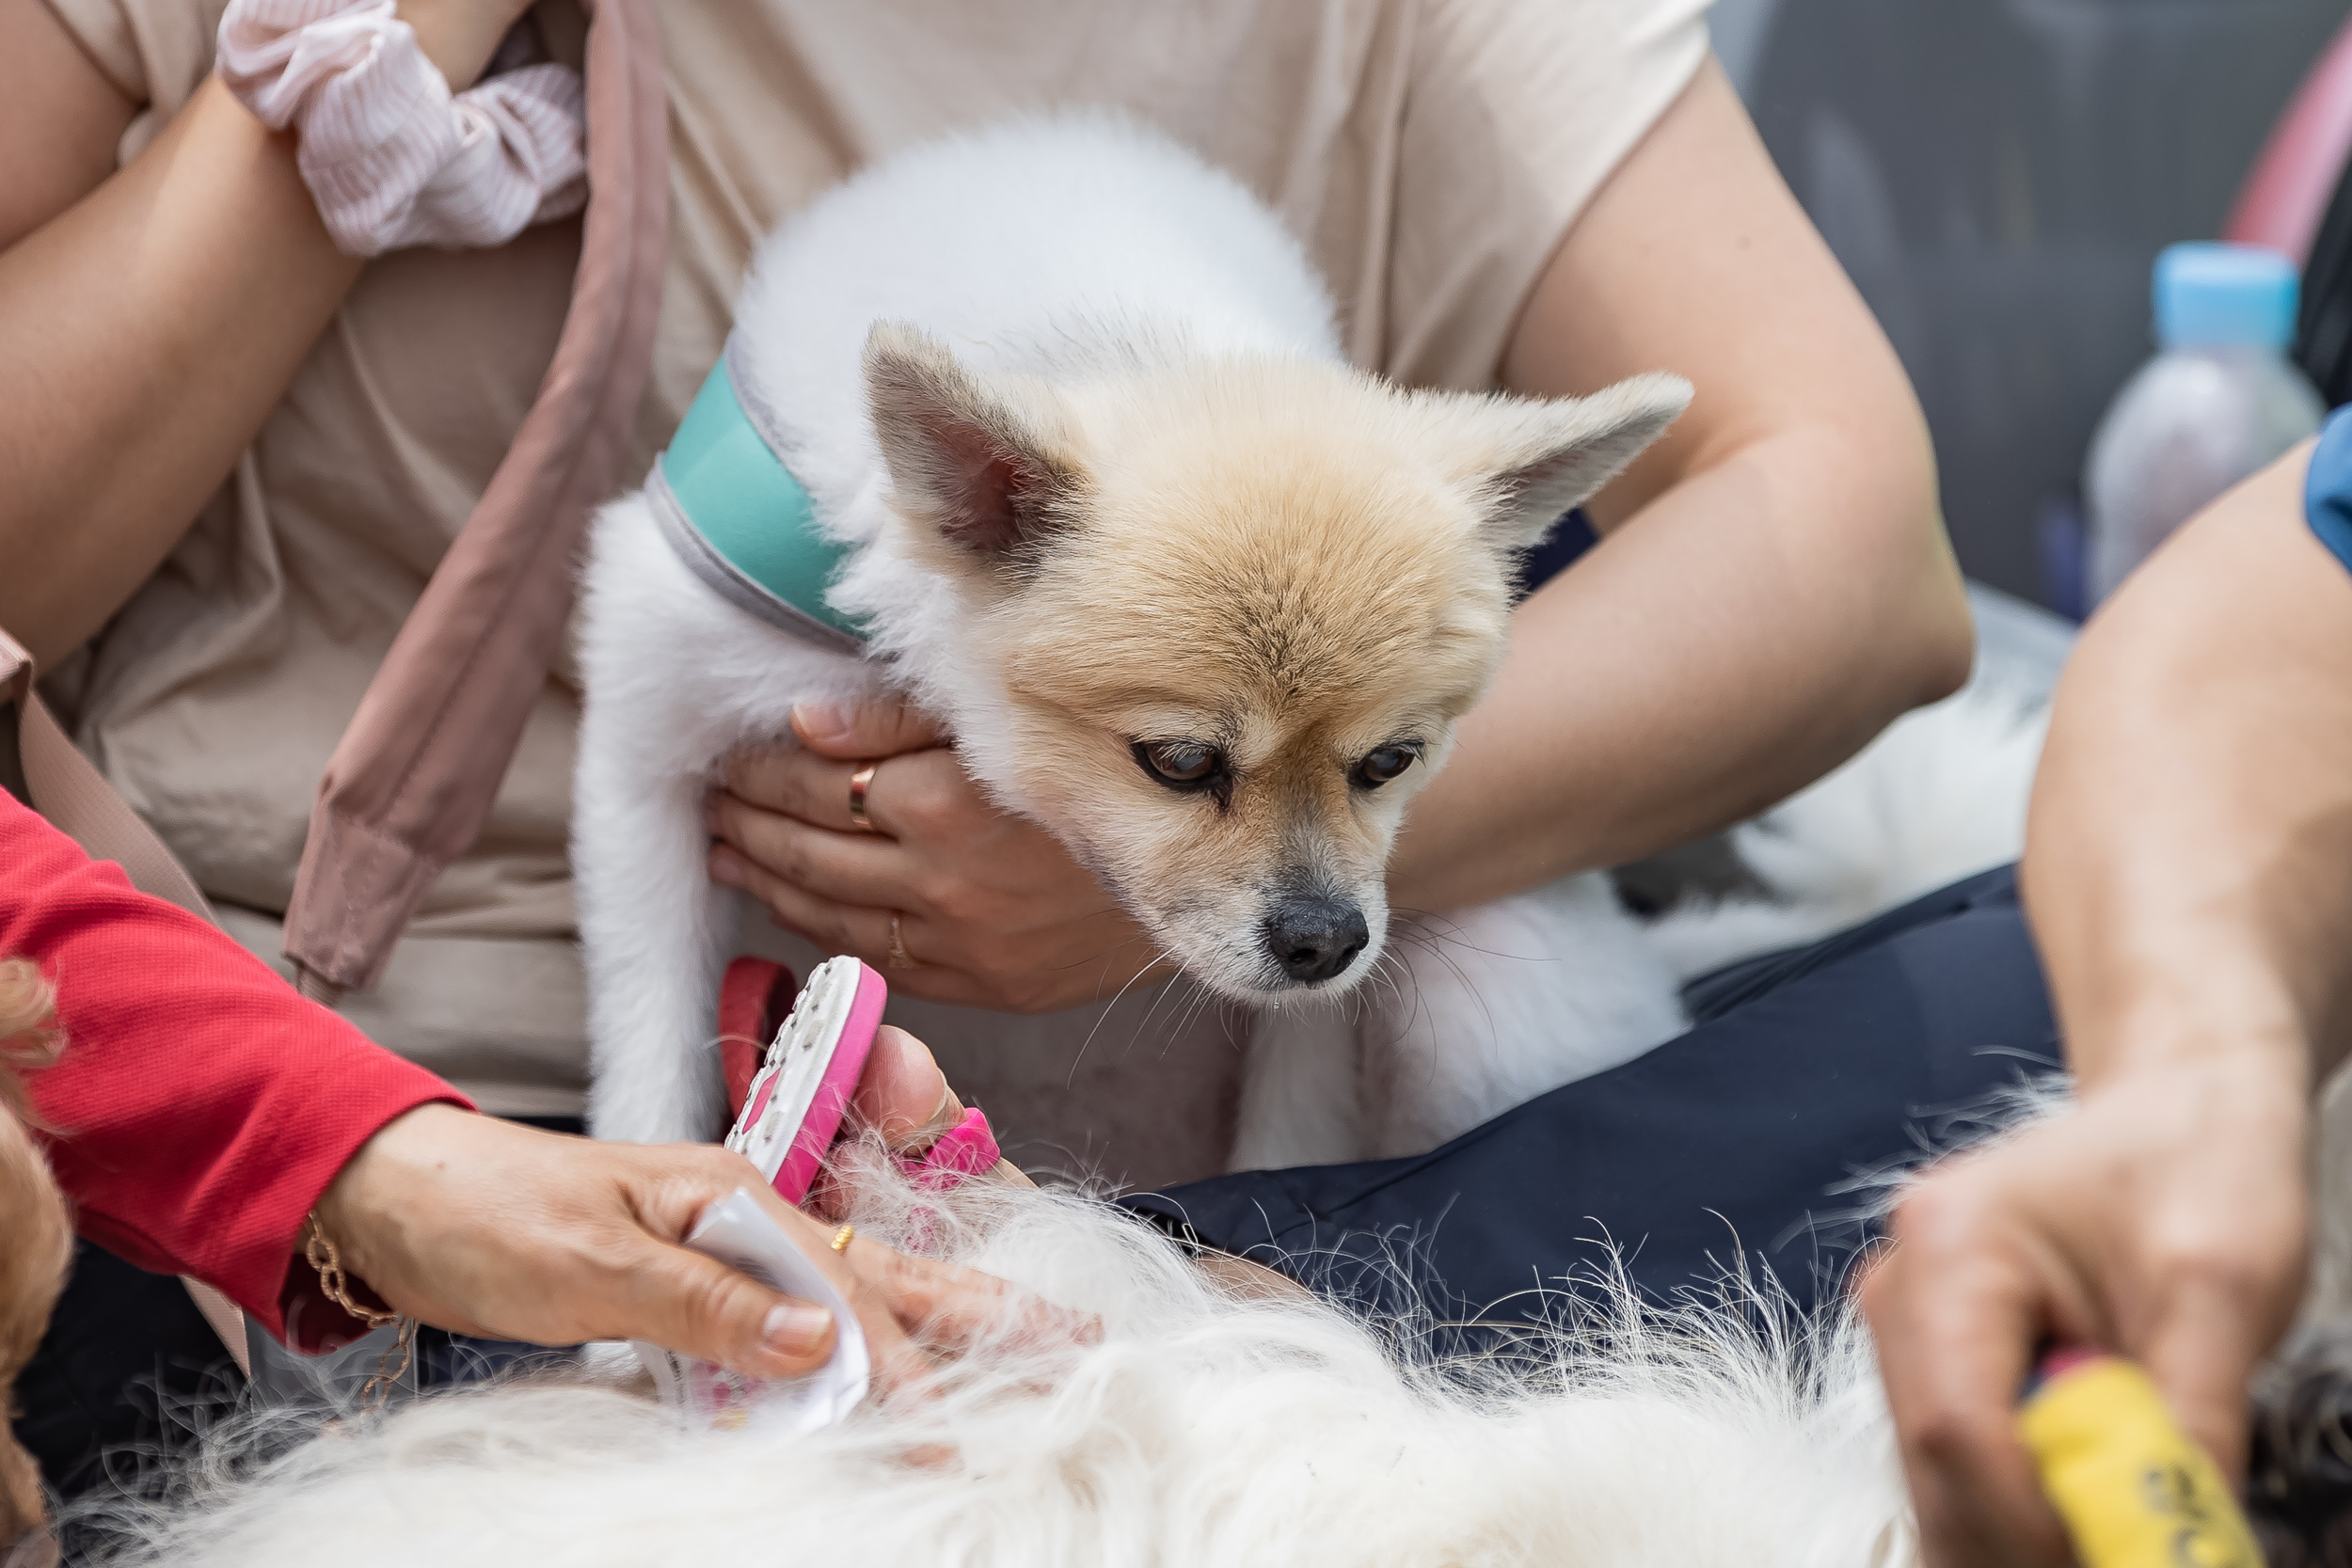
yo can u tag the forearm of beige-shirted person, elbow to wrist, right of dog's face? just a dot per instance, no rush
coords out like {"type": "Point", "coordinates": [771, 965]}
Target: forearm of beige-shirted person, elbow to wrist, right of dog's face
{"type": "Point", "coordinates": [1742, 636]}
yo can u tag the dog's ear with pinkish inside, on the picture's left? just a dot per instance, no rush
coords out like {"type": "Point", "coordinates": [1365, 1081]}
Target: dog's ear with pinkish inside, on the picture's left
{"type": "Point", "coordinates": [963, 457]}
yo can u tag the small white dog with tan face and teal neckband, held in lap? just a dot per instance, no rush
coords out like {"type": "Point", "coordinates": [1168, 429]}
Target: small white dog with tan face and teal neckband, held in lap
{"type": "Point", "coordinates": [1050, 429]}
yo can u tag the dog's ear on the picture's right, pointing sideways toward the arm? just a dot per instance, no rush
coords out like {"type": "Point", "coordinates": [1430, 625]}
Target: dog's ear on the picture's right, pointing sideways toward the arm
{"type": "Point", "coordinates": [1537, 460]}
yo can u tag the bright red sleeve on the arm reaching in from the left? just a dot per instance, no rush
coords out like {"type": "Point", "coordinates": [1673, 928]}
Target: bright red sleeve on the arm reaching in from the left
{"type": "Point", "coordinates": [201, 1104]}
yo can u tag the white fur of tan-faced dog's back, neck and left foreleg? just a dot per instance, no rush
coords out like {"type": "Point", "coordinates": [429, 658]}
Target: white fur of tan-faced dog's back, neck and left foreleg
{"type": "Point", "coordinates": [1069, 239]}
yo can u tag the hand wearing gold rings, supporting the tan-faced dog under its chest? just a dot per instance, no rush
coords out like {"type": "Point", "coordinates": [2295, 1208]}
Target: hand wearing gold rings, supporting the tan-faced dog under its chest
{"type": "Point", "coordinates": [991, 909]}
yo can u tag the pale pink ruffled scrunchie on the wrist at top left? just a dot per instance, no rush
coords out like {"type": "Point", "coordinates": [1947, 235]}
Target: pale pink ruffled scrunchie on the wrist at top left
{"type": "Point", "coordinates": [389, 154]}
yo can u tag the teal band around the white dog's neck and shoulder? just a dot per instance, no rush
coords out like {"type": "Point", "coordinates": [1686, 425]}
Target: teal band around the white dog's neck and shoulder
{"type": "Point", "coordinates": [737, 516]}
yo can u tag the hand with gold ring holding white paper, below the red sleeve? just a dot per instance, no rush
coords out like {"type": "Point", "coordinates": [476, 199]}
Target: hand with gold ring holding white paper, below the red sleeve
{"type": "Point", "coordinates": [502, 1231]}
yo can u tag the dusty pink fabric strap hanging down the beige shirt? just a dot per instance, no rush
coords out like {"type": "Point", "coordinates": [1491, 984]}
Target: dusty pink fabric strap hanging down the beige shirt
{"type": "Point", "coordinates": [422, 760]}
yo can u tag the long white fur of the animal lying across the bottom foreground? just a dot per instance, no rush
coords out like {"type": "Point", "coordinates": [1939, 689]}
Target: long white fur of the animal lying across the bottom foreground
{"type": "Point", "coordinates": [1201, 1430]}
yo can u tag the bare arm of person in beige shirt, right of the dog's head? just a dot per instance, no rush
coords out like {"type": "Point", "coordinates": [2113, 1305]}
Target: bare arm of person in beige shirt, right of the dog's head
{"type": "Point", "coordinates": [1775, 582]}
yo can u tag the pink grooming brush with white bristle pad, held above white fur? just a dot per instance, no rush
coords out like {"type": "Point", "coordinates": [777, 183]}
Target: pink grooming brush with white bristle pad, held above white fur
{"type": "Point", "coordinates": [801, 1094]}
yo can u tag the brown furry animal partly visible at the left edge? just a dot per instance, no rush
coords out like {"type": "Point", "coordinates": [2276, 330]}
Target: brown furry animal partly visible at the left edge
{"type": "Point", "coordinates": [36, 1235]}
